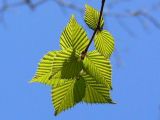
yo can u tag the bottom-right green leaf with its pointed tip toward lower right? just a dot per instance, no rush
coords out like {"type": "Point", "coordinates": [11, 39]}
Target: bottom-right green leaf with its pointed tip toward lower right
{"type": "Point", "coordinates": [95, 92]}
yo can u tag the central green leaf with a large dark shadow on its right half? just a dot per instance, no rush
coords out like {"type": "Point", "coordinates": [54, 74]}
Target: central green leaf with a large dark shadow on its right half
{"type": "Point", "coordinates": [68, 63]}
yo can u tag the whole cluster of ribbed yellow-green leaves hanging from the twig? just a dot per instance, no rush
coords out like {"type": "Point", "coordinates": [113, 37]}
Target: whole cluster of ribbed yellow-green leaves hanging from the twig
{"type": "Point", "coordinates": [73, 79]}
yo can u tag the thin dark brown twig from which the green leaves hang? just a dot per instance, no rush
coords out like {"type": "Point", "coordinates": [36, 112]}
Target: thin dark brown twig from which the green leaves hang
{"type": "Point", "coordinates": [83, 54]}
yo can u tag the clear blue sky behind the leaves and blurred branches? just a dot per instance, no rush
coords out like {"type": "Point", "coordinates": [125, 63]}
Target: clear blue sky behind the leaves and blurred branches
{"type": "Point", "coordinates": [26, 36]}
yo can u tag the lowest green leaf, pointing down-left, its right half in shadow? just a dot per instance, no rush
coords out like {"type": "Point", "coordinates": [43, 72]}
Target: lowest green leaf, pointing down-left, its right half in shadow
{"type": "Point", "coordinates": [67, 95]}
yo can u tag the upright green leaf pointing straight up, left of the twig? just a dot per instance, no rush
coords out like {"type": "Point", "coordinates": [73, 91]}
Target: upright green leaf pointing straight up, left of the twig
{"type": "Point", "coordinates": [74, 36]}
